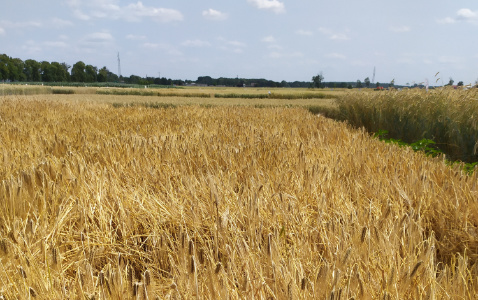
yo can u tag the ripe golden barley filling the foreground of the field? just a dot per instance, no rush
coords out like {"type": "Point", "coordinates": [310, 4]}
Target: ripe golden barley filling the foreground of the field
{"type": "Point", "coordinates": [100, 201]}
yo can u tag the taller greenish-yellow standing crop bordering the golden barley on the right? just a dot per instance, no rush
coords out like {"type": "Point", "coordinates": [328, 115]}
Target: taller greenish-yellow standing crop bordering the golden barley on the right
{"type": "Point", "coordinates": [448, 117]}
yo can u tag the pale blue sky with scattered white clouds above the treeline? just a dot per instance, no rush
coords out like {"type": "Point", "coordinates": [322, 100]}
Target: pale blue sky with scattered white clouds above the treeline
{"type": "Point", "coordinates": [408, 41]}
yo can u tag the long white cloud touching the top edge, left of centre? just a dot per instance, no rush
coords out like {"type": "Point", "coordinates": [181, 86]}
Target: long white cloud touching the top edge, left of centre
{"type": "Point", "coordinates": [134, 12]}
